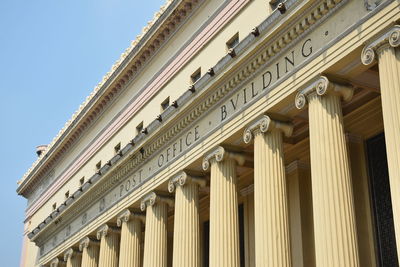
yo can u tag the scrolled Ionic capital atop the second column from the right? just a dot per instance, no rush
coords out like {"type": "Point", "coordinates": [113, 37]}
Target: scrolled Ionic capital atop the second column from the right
{"type": "Point", "coordinates": [321, 87]}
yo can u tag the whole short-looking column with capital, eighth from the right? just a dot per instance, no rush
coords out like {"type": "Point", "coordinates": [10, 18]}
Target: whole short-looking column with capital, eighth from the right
{"type": "Point", "coordinates": [109, 245]}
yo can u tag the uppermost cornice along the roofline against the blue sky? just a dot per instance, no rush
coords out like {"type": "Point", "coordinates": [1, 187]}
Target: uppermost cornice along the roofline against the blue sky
{"type": "Point", "coordinates": [153, 35]}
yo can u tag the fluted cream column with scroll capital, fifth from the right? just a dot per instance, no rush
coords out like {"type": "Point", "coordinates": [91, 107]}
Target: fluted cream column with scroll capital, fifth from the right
{"type": "Point", "coordinates": [186, 250]}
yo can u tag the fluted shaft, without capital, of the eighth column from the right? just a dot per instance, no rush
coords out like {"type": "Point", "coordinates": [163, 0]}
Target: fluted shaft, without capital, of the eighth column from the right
{"type": "Point", "coordinates": [109, 247]}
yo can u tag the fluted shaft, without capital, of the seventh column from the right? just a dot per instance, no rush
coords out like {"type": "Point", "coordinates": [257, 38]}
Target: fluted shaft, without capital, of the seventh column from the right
{"type": "Point", "coordinates": [131, 235]}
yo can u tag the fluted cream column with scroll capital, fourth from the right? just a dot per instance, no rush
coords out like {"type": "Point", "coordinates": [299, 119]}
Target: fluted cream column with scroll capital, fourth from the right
{"type": "Point", "coordinates": [224, 220]}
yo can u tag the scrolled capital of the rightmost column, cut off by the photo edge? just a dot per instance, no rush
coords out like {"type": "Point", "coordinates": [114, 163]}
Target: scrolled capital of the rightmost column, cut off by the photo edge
{"type": "Point", "coordinates": [390, 37]}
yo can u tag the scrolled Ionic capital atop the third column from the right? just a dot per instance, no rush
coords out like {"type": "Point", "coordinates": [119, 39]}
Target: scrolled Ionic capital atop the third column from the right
{"type": "Point", "coordinates": [265, 124]}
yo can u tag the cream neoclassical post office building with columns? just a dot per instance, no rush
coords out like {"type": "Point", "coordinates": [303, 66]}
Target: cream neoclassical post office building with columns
{"type": "Point", "coordinates": [232, 133]}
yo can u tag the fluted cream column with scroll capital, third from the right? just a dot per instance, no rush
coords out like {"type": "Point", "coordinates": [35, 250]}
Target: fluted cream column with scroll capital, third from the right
{"type": "Point", "coordinates": [272, 239]}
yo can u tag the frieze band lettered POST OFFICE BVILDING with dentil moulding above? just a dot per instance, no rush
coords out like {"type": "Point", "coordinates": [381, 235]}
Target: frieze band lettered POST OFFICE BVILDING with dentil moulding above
{"type": "Point", "coordinates": [276, 61]}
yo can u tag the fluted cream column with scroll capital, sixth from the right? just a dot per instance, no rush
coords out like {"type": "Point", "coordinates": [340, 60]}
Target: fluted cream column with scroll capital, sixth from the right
{"type": "Point", "coordinates": [155, 238]}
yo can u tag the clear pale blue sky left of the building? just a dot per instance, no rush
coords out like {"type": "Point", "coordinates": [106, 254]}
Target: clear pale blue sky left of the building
{"type": "Point", "coordinates": [52, 54]}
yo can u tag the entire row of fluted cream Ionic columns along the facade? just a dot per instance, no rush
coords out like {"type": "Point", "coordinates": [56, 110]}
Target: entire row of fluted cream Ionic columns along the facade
{"type": "Point", "coordinates": [333, 207]}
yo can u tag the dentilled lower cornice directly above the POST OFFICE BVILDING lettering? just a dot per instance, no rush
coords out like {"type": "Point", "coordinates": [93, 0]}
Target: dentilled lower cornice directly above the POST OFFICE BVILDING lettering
{"type": "Point", "coordinates": [145, 145]}
